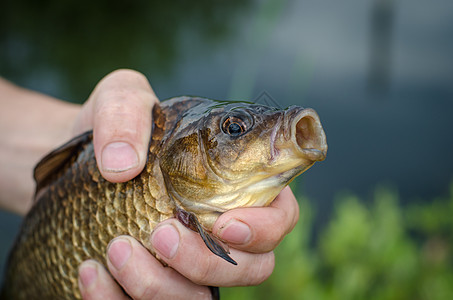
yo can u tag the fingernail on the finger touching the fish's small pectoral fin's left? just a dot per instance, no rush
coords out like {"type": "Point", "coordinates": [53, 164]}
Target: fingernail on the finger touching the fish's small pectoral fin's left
{"type": "Point", "coordinates": [165, 240]}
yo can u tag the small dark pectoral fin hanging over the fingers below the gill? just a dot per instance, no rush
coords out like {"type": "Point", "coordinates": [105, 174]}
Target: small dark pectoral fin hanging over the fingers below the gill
{"type": "Point", "coordinates": [214, 244]}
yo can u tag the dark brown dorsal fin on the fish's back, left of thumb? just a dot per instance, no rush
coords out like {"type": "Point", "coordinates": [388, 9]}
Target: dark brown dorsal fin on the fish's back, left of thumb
{"type": "Point", "coordinates": [55, 160]}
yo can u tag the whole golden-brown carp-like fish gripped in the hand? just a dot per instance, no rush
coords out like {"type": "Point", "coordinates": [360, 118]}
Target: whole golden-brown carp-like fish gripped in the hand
{"type": "Point", "coordinates": [205, 157]}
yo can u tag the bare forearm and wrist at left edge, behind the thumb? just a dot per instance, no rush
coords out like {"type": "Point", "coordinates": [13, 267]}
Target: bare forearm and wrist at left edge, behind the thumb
{"type": "Point", "coordinates": [31, 124]}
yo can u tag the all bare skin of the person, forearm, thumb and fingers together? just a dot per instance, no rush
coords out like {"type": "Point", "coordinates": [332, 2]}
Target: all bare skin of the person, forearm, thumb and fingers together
{"type": "Point", "coordinates": [118, 111]}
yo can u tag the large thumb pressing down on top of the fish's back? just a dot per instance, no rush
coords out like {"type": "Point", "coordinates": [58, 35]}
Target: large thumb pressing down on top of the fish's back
{"type": "Point", "coordinates": [119, 112]}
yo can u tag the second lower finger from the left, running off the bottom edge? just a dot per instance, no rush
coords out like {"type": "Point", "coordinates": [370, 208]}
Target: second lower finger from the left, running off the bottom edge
{"type": "Point", "coordinates": [142, 276]}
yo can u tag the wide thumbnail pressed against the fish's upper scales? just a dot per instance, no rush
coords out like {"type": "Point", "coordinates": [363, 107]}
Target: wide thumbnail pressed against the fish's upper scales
{"type": "Point", "coordinates": [118, 157]}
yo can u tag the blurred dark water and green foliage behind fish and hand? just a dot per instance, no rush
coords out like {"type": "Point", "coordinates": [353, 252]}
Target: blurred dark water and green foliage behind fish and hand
{"type": "Point", "coordinates": [377, 215]}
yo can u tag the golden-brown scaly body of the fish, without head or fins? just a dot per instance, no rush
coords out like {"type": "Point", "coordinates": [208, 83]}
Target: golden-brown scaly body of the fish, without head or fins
{"type": "Point", "coordinates": [78, 236]}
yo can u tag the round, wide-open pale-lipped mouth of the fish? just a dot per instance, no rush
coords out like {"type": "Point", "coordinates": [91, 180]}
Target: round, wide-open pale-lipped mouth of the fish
{"type": "Point", "coordinates": [308, 135]}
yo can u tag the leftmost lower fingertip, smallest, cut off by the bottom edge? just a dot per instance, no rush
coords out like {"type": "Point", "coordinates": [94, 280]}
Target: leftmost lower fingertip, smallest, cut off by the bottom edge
{"type": "Point", "coordinates": [96, 283]}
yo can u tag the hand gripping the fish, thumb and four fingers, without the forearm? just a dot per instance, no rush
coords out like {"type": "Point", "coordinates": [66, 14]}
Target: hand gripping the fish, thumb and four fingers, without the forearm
{"type": "Point", "coordinates": [192, 267]}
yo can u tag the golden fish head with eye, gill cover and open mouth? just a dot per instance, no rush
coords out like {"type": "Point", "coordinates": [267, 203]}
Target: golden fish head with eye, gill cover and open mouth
{"type": "Point", "coordinates": [223, 155]}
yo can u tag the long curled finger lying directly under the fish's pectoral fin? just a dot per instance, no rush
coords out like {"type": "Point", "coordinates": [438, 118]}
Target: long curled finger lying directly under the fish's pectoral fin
{"type": "Point", "coordinates": [184, 251]}
